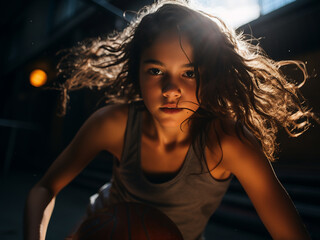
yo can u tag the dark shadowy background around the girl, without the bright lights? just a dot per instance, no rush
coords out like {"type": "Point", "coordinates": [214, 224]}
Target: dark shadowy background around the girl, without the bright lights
{"type": "Point", "coordinates": [32, 135]}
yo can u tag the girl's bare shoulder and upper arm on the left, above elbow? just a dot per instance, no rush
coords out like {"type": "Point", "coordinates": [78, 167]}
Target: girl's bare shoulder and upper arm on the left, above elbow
{"type": "Point", "coordinates": [104, 130]}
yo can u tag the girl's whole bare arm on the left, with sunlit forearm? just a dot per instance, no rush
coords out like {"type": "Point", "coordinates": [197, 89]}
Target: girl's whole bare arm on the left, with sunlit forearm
{"type": "Point", "coordinates": [104, 130]}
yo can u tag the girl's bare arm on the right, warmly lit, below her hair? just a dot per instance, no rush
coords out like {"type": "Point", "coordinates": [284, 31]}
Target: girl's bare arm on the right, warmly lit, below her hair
{"type": "Point", "coordinates": [245, 160]}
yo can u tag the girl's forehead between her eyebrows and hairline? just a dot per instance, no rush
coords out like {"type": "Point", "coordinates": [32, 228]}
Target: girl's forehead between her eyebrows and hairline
{"type": "Point", "coordinates": [169, 47]}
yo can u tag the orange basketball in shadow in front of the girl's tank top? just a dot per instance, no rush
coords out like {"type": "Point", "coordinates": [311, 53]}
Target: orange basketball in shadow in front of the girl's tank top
{"type": "Point", "coordinates": [132, 221]}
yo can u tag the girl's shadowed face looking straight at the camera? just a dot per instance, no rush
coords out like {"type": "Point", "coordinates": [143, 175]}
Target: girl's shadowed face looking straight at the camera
{"type": "Point", "coordinates": [167, 79]}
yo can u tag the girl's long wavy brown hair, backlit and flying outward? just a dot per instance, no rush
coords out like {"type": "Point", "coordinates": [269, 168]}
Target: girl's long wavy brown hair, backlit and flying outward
{"type": "Point", "coordinates": [238, 81]}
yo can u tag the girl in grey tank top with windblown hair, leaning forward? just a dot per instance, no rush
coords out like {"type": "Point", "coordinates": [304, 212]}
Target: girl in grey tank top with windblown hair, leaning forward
{"type": "Point", "coordinates": [194, 105]}
